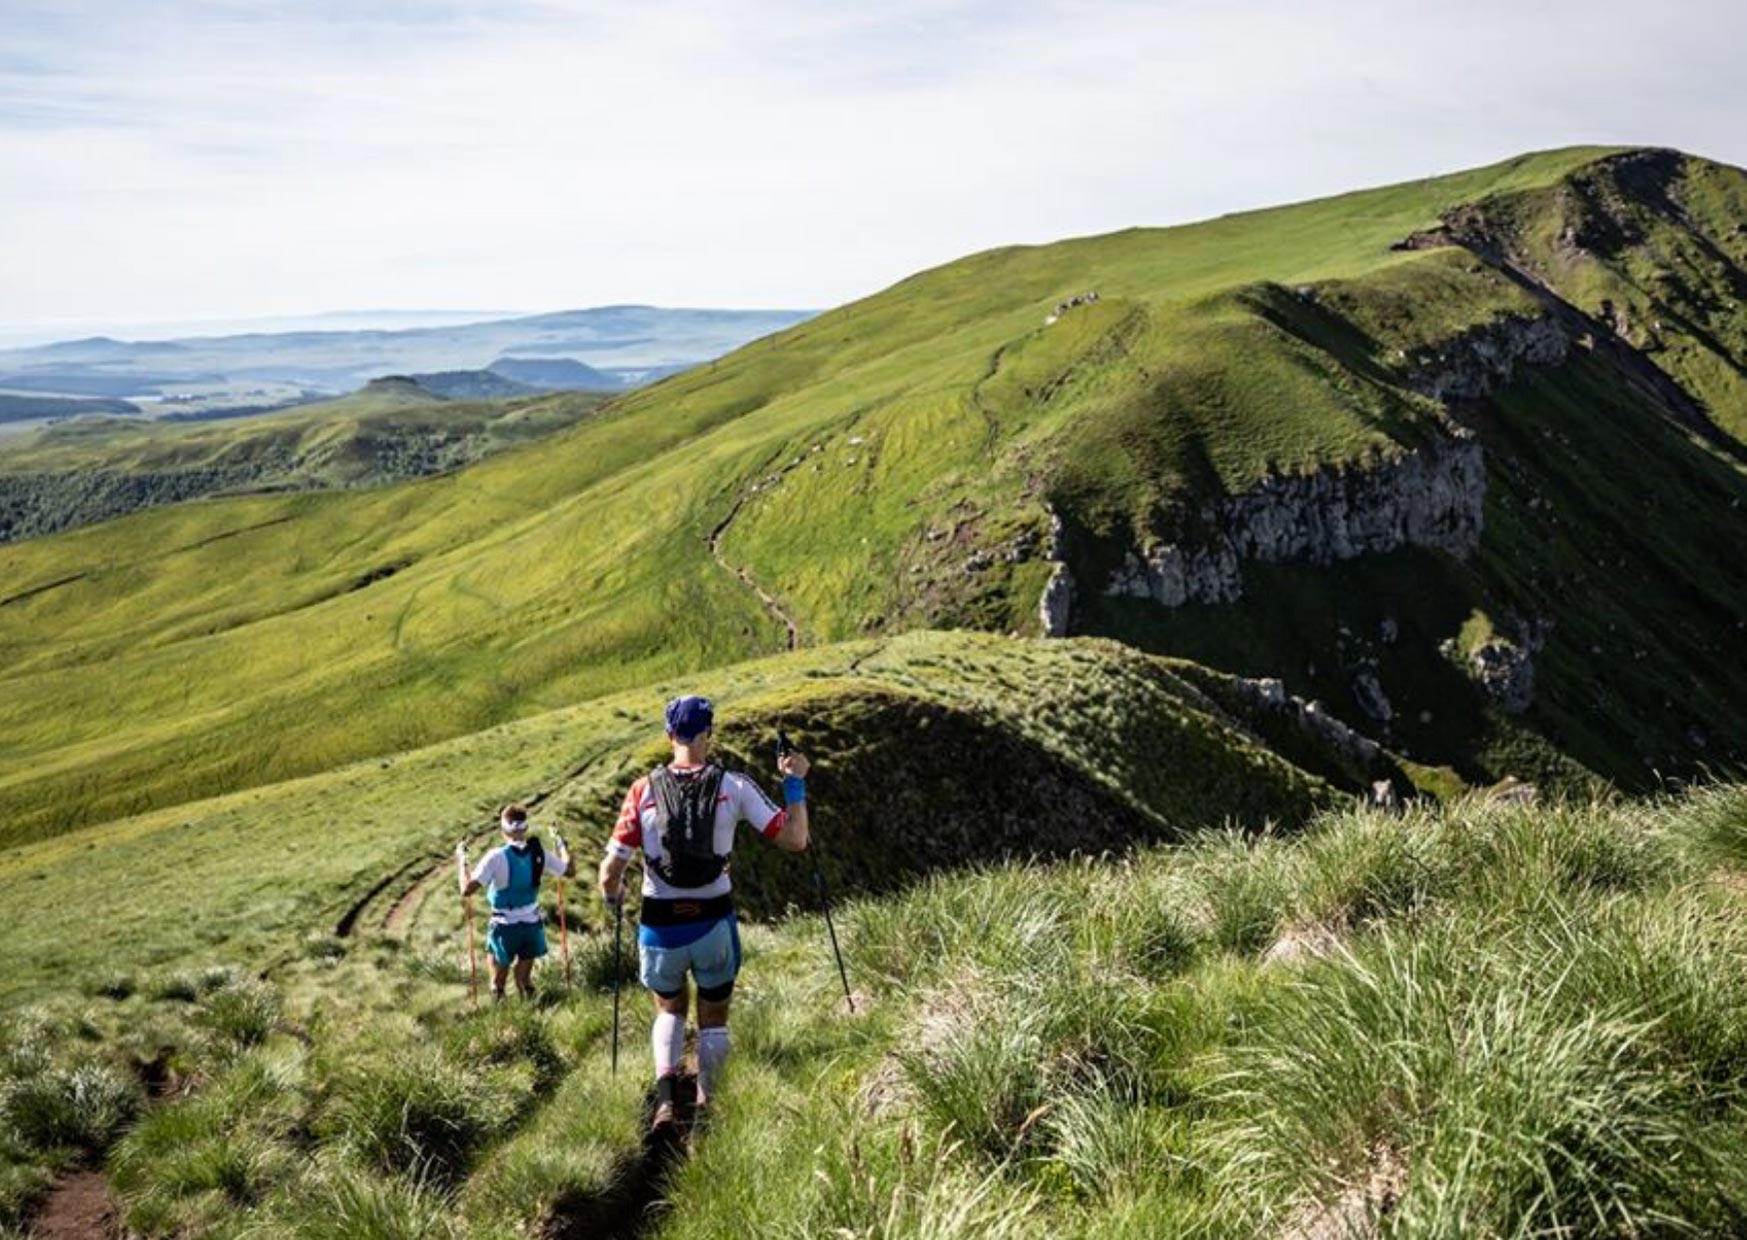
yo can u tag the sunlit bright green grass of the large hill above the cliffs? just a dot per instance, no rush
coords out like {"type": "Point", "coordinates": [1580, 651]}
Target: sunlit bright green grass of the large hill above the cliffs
{"type": "Point", "coordinates": [146, 659]}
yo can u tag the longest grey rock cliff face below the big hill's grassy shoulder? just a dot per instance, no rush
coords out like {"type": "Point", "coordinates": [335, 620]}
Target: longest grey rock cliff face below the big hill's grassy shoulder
{"type": "Point", "coordinates": [1430, 497]}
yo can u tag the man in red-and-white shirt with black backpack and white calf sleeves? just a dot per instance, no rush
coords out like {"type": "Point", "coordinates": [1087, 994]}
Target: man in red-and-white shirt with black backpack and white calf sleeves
{"type": "Point", "coordinates": [682, 818]}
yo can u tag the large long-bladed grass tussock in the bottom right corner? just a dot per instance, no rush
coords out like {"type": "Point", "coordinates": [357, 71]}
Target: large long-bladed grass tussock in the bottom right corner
{"type": "Point", "coordinates": [1517, 1080]}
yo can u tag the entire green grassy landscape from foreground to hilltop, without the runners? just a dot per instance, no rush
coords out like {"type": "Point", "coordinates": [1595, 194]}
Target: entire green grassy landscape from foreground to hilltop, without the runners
{"type": "Point", "coordinates": [1276, 719]}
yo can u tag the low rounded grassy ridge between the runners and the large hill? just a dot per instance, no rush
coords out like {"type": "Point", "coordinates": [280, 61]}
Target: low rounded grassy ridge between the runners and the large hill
{"type": "Point", "coordinates": [1033, 748]}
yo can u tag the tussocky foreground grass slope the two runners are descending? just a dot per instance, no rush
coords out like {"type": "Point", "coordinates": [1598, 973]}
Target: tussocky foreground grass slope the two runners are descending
{"type": "Point", "coordinates": [1482, 1021]}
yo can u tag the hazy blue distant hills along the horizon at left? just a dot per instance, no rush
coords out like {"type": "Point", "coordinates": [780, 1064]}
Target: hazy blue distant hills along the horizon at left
{"type": "Point", "coordinates": [605, 348]}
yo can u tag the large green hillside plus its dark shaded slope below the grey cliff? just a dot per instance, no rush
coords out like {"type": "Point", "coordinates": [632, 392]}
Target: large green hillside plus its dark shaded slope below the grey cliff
{"type": "Point", "coordinates": [888, 465]}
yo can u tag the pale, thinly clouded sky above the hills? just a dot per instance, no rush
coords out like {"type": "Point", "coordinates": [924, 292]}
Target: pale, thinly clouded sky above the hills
{"type": "Point", "coordinates": [177, 160]}
